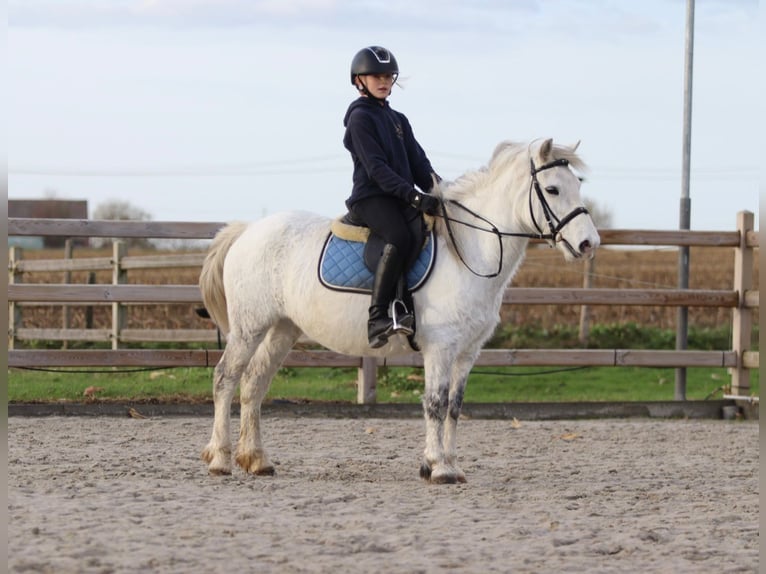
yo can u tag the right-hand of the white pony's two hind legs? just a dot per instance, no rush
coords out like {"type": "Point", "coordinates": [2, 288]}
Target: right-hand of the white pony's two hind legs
{"type": "Point", "coordinates": [251, 455]}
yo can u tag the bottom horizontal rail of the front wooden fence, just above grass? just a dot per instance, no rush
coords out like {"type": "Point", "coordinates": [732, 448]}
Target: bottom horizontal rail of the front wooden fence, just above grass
{"type": "Point", "coordinates": [322, 358]}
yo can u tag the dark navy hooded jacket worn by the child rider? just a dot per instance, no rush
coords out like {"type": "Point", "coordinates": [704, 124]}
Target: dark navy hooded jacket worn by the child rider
{"type": "Point", "coordinates": [387, 158]}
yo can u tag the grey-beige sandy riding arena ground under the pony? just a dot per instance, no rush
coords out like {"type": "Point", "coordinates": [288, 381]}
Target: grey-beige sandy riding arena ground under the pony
{"type": "Point", "coordinates": [105, 494]}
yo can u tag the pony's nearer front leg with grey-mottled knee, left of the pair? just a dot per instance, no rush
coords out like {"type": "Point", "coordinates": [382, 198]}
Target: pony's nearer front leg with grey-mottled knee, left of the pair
{"type": "Point", "coordinates": [435, 467]}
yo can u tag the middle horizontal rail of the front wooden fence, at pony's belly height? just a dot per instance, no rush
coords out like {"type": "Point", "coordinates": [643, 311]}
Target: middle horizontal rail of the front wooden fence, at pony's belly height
{"type": "Point", "coordinates": [150, 294]}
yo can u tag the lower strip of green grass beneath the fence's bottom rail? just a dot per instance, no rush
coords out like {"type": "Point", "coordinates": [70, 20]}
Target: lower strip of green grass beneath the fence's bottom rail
{"type": "Point", "coordinates": [395, 385]}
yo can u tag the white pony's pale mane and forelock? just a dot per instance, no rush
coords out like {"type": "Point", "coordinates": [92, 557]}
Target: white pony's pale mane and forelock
{"type": "Point", "coordinates": [505, 153]}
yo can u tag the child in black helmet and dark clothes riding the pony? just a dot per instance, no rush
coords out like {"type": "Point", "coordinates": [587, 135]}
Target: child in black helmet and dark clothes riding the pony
{"type": "Point", "coordinates": [388, 164]}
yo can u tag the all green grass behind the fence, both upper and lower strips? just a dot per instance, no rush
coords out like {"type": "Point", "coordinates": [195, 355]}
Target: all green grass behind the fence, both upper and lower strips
{"type": "Point", "coordinates": [404, 385]}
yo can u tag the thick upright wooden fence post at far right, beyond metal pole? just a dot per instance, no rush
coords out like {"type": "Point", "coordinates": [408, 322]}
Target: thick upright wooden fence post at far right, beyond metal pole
{"type": "Point", "coordinates": [742, 317]}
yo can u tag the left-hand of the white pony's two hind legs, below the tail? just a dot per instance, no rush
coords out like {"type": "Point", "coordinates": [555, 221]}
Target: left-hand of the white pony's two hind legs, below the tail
{"type": "Point", "coordinates": [217, 453]}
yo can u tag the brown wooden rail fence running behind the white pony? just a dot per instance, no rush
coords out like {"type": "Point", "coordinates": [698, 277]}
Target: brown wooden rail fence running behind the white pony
{"type": "Point", "coordinates": [742, 299]}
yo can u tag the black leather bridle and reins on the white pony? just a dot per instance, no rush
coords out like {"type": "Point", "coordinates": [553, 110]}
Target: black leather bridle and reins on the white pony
{"type": "Point", "coordinates": [555, 225]}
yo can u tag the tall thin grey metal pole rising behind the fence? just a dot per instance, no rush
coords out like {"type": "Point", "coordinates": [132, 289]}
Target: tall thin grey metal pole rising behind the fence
{"type": "Point", "coordinates": [685, 207]}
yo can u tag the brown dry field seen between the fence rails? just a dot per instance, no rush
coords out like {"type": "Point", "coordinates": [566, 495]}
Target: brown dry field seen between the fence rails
{"type": "Point", "coordinates": [711, 268]}
